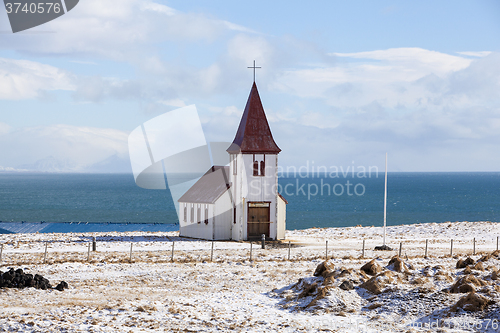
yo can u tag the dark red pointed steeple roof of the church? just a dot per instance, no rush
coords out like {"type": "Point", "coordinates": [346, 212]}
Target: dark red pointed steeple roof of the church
{"type": "Point", "coordinates": [254, 134]}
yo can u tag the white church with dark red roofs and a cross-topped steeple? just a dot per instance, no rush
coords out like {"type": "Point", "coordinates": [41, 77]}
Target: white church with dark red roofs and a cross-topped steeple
{"type": "Point", "coordinates": [239, 201]}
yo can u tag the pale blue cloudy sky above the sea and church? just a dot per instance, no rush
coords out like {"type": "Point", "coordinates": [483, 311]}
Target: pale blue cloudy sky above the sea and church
{"type": "Point", "coordinates": [342, 82]}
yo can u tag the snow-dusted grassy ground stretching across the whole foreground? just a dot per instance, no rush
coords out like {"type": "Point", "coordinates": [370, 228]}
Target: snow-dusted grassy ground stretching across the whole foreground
{"type": "Point", "coordinates": [109, 293]}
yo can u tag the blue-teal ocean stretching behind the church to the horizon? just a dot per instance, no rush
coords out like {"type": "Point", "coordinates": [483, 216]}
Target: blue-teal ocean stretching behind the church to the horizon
{"type": "Point", "coordinates": [92, 202]}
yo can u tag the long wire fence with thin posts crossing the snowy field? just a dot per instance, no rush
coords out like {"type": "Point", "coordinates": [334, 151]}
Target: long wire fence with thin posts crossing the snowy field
{"type": "Point", "coordinates": [184, 250]}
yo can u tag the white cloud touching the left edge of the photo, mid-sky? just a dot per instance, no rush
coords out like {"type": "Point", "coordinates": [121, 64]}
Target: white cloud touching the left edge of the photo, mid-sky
{"type": "Point", "coordinates": [21, 79]}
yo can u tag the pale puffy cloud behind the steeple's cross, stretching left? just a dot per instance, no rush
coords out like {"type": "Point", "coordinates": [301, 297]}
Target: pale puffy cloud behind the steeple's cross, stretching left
{"type": "Point", "coordinates": [226, 75]}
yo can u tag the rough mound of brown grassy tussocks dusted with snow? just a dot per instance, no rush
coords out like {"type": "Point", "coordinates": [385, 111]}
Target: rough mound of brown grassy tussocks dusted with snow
{"type": "Point", "coordinates": [411, 293]}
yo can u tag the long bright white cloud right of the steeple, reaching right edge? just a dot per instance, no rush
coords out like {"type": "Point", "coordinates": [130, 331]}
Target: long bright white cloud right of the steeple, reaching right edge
{"type": "Point", "coordinates": [395, 78]}
